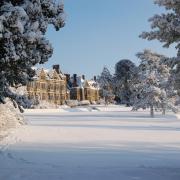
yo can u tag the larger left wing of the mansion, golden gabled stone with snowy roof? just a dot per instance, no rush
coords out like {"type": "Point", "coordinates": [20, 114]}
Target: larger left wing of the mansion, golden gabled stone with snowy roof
{"type": "Point", "coordinates": [48, 86]}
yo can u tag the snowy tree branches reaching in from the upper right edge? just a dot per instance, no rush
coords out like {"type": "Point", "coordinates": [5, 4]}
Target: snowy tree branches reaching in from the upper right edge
{"type": "Point", "coordinates": [166, 29]}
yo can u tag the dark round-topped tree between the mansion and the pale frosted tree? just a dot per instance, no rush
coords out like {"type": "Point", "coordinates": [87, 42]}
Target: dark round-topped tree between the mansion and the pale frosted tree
{"type": "Point", "coordinates": [125, 70]}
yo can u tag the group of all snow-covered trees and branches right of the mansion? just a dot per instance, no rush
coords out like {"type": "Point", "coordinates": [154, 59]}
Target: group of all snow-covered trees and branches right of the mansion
{"type": "Point", "coordinates": [155, 82]}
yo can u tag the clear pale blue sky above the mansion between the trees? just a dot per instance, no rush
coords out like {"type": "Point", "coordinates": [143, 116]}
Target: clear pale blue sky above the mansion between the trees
{"type": "Point", "coordinates": [101, 32]}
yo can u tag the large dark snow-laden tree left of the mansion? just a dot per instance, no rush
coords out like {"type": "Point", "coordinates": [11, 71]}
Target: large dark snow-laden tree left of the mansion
{"type": "Point", "coordinates": [23, 24]}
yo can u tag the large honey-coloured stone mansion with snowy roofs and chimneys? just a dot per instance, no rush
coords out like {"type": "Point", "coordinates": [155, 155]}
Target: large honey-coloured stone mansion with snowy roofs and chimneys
{"type": "Point", "coordinates": [55, 87]}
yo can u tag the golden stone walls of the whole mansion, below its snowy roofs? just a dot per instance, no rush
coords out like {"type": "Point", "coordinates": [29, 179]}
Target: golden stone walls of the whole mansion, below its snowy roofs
{"type": "Point", "coordinates": [54, 89]}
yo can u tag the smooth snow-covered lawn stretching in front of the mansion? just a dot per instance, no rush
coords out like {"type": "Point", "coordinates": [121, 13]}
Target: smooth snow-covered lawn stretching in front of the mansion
{"type": "Point", "coordinates": [107, 144]}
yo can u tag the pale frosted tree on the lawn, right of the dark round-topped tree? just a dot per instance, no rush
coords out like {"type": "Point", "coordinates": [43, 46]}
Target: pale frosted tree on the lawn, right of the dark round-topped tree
{"type": "Point", "coordinates": [153, 88]}
